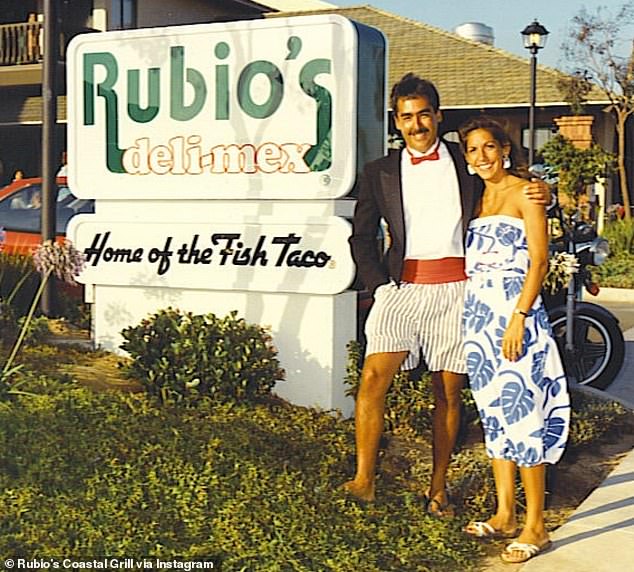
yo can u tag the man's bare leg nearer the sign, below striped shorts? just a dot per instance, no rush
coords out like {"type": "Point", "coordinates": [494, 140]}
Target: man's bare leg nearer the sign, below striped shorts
{"type": "Point", "coordinates": [376, 378]}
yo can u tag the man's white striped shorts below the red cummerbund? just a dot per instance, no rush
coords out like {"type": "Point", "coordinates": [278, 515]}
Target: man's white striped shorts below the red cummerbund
{"type": "Point", "coordinates": [419, 318]}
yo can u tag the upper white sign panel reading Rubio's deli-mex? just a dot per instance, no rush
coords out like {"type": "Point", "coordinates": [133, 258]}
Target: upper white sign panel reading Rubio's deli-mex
{"type": "Point", "coordinates": [259, 109]}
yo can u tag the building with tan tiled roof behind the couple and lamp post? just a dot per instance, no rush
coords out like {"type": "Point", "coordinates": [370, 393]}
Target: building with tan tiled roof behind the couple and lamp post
{"type": "Point", "coordinates": [474, 77]}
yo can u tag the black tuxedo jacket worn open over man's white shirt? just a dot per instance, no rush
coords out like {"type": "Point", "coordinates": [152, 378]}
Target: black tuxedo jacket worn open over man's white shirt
{"type": "Point", "coordinates": [380, 196]}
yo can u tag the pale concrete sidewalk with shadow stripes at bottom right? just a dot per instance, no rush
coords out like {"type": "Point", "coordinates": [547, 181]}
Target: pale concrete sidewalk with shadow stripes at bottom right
{"type": "Point", "coordinates": [599, 536]}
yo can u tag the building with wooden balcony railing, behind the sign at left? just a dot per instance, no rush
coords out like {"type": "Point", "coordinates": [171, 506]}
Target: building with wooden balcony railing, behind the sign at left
{"type": "Point", "coordinates": [21, 42]}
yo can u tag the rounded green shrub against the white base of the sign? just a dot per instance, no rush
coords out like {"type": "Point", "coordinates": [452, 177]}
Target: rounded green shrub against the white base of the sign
{"type": "Point", "coordinates": [182, 358]}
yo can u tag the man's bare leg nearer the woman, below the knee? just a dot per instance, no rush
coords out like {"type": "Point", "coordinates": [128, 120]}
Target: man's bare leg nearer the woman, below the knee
{"type": "Point", "coordinates": [446, 386]}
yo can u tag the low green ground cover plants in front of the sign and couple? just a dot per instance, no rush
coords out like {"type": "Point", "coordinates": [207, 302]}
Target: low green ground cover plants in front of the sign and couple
{"type": "Point", "coordinates": [251, 485]}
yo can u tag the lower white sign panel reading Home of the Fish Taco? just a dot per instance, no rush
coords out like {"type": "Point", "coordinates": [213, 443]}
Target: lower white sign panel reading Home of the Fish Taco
{"type": "Point", "coordinates": [267, 256]}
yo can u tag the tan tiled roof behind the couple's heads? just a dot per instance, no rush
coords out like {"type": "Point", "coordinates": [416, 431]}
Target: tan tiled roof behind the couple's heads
{"type": "Point", "coordinates": [468, 74]}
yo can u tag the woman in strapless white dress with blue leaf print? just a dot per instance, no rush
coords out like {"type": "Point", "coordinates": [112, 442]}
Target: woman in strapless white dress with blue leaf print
{"type": "Point", "coordinates": [513, 364]}
